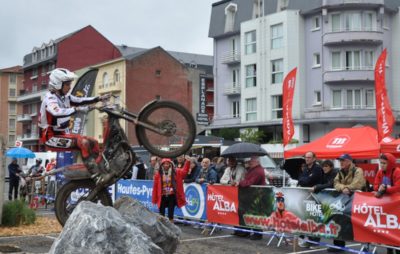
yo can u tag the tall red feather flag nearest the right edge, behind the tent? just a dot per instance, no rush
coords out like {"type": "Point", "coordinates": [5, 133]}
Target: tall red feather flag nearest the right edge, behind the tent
{"type": "Point", "coordinates": [384, 115]}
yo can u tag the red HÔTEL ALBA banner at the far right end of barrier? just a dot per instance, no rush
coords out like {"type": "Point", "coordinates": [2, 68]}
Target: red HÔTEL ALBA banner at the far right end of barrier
{"type": "Point", "coordinates": [376, 220]}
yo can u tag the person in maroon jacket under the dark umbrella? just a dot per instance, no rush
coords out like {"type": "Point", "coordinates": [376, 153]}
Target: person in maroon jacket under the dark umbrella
{"type": "Point", "coordinates": [255, 175]}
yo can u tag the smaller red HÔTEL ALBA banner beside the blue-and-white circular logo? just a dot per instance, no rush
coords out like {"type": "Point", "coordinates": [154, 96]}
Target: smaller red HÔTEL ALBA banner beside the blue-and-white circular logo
{"type": "Point", "coordinates": [222, 204]}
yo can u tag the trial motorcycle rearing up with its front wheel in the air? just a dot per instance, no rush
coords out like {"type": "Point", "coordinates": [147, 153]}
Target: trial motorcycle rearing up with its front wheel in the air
{"type": "Point", "coordinates": [164, 128]}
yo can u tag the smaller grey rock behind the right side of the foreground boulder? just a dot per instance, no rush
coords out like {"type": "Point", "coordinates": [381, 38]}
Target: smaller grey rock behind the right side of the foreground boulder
{"type": "Point", "coordinates": [163, 233]}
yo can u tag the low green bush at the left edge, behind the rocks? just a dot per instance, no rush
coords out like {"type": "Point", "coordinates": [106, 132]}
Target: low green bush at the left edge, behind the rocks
{"type": "Point", "coordinates": [16, 212]}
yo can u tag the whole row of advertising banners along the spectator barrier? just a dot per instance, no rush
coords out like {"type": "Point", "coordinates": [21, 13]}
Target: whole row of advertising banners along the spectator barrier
{"type": "Point", "coordinates": [328, 214]}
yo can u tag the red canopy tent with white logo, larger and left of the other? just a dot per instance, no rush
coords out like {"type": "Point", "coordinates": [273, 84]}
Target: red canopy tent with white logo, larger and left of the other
{"type": "Point", "coordinates": [359, 142]}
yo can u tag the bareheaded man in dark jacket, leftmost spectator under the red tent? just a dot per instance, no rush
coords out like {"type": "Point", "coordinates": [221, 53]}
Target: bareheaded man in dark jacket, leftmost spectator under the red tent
{"type": "Point", "coordinates": [311, 176]}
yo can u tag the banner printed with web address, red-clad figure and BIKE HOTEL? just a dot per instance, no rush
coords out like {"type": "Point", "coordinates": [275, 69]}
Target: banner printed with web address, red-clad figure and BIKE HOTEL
{"type": "Point", "coordinates": [296, 211]}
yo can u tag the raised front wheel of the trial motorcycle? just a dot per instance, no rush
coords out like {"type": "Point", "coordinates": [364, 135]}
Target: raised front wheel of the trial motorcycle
{"type": "Point", "coordinates": [175, 126]}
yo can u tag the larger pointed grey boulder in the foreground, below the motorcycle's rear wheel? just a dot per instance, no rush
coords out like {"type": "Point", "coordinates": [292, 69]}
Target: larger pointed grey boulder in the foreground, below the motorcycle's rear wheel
{"type": "Point", "coordinates": [94, 228]}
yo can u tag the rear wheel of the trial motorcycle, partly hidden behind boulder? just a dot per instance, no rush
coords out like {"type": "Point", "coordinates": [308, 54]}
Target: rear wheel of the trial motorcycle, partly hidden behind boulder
{"type": "Point", "coordinates": [73, 192]}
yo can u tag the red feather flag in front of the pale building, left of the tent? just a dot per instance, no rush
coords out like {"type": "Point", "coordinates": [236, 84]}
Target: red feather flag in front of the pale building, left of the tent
{"type": "Point", "coordinates": [288, 92]}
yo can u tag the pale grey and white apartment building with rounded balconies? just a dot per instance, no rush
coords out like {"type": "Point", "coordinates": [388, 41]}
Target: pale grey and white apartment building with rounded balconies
{"type": "Point", "coordinates": [334, 44]}
